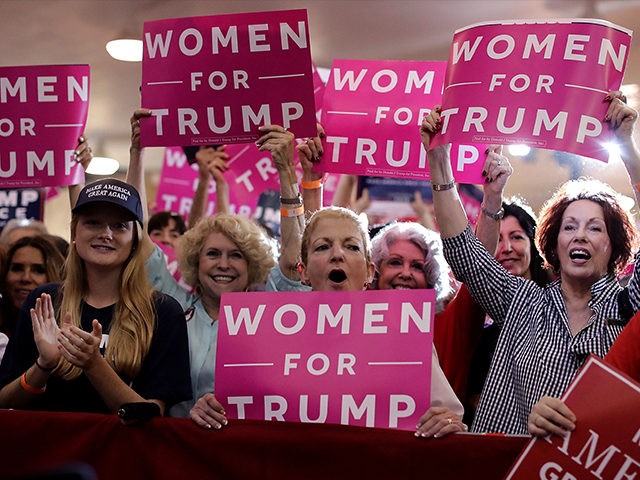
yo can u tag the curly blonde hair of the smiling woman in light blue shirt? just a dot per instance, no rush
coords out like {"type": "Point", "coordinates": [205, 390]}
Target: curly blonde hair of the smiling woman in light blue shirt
{"type": "Point", "coordinates": [244, 233]}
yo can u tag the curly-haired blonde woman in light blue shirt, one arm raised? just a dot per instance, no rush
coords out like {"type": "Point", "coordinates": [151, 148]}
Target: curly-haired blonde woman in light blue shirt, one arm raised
{"type": "Point", "coordinates": [223, 253]}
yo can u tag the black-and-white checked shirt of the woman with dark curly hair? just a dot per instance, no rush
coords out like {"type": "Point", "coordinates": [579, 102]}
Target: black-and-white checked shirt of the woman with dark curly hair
{"type": "Point", "coordinates": [536, 354]}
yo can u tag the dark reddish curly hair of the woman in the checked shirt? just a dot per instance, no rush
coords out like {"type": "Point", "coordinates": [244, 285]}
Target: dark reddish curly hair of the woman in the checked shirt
{"type": "Point", "coordinates": [621, 228]}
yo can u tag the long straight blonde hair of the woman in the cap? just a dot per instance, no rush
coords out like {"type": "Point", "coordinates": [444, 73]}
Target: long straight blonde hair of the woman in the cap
{"type": "Point", "coordinates": [134, 317]}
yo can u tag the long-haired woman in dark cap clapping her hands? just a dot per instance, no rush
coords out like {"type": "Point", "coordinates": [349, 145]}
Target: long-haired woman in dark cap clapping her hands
{"type": "Point", "coordinates": [102, 337]}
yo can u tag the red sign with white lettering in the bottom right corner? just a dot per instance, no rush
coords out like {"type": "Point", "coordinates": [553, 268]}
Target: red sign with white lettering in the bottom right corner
{"type": "Point", "coordinates": [606, 441]}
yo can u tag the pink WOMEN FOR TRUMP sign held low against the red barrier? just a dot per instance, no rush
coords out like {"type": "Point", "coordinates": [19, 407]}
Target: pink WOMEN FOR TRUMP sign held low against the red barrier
{"type": "Point", "coordinates": [352, 358]}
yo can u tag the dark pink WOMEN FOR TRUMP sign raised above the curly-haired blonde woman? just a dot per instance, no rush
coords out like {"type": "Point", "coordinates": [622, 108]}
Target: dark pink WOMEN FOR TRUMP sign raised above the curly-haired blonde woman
{"type": "Point", "coordinates": [216, 79]}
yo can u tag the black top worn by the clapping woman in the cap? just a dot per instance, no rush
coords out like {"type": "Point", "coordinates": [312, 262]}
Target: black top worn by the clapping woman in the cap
{"type": "Point", "coordinates": [164, 374]}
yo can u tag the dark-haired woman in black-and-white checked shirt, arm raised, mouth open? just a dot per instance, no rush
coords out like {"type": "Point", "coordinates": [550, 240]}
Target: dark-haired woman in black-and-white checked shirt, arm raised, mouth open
{"type": "Point", "coordinates": [547, 334]}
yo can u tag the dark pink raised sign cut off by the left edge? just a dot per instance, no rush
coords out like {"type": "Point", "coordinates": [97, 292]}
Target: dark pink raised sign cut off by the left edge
{"type": "Point", "coordinates": [44, 111]}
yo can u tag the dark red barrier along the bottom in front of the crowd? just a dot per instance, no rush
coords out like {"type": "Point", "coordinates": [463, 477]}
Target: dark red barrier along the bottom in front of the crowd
{"type": "Point", "coordinates": [167, 448]}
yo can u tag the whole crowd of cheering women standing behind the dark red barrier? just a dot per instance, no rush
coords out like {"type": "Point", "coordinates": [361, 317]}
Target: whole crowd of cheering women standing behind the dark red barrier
{"type": "Point", "coordinates": [107, 323]}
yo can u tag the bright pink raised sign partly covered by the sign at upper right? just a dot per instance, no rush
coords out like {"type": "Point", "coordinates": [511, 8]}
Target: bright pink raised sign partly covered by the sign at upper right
{"type": "Point", "coordinates": [372, 110]}
